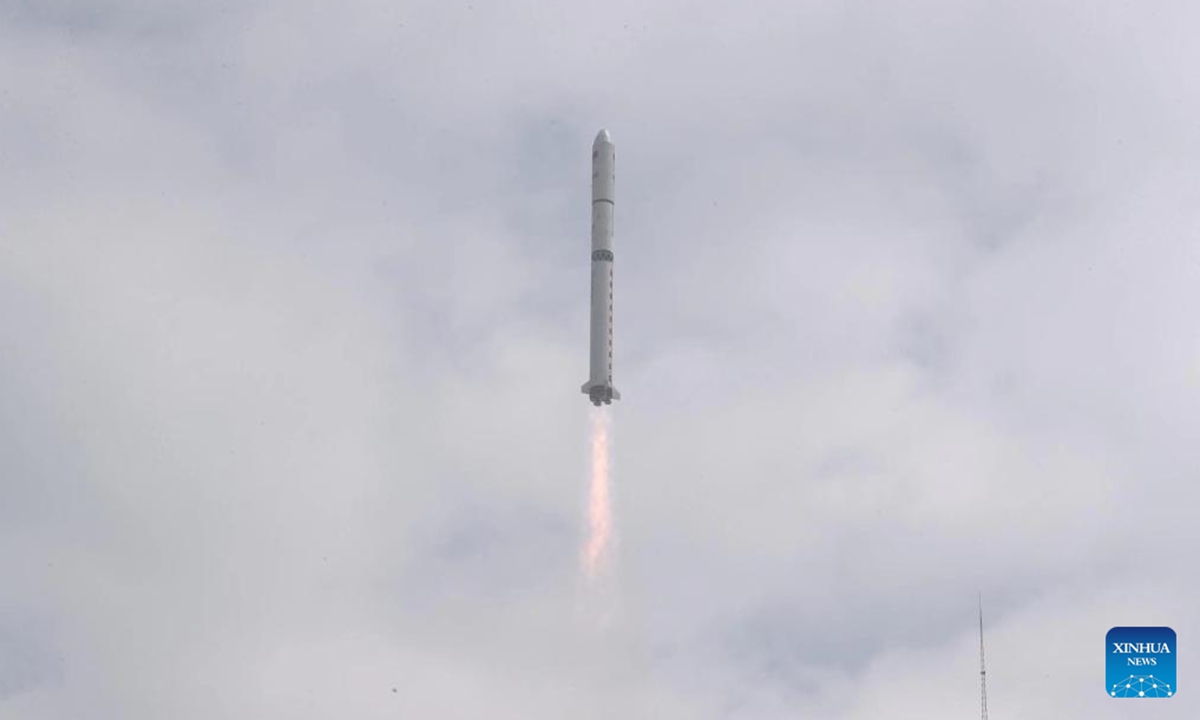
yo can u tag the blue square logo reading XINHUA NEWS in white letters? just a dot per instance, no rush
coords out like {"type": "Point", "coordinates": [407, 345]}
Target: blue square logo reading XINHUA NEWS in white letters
{"type": "Point", "coordinates": [1141, 663]}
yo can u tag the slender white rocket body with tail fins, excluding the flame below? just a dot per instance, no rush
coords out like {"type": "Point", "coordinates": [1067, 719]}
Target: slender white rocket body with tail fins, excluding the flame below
{"type": "Point", "coordinates": [599, 387]}
